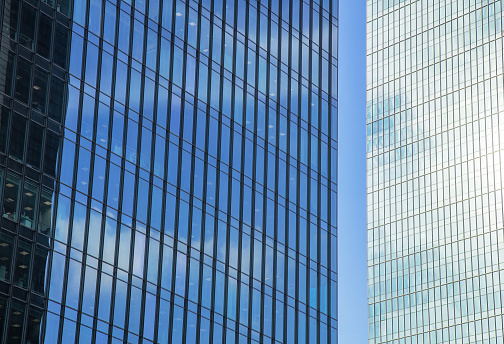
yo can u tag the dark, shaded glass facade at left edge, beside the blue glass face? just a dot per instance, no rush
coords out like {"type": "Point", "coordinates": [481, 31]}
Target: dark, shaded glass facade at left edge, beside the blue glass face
{"type": "Point", "coordinates": [34, 50]}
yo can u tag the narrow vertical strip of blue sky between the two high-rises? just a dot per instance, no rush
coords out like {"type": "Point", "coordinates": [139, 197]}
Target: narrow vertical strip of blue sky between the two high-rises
{"type": "Point", "coordinates": [352, 255]}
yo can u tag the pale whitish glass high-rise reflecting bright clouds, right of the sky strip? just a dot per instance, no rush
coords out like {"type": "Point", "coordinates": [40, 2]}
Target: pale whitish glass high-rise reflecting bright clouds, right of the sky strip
{"type": "Point", "coordinates": [435, 114]}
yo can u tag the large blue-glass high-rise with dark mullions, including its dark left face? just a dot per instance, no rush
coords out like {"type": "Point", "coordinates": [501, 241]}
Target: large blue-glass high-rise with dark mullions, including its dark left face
{"type": "Point", "coordinates": [168, 171]}
